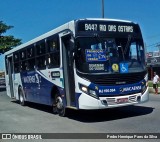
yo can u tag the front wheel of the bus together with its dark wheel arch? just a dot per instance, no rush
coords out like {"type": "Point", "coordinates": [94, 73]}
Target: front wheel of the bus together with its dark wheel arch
{"type": "Point", "coordinates": [57, 103]}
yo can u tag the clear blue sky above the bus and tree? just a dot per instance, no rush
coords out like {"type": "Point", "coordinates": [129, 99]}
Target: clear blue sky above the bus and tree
{"type": "Point", "coordinates": [32, 18]}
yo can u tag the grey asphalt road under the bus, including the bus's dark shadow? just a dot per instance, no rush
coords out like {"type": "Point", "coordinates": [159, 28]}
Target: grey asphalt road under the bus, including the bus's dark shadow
{"type": "Point", "coordinates": [34, 118]}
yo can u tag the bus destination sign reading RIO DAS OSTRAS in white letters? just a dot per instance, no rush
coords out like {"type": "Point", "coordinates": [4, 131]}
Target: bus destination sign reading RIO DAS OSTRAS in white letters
{"type": "Point", "coordinates": [101, 26]}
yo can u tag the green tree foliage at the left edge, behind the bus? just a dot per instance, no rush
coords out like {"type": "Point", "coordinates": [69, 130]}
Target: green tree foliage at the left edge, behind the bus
{"type": "Point", "coordinates": [7, 42]}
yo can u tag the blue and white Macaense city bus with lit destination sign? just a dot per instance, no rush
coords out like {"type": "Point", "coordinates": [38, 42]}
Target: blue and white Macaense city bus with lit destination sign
{"type": "Point", "coordinates": [83, 64]}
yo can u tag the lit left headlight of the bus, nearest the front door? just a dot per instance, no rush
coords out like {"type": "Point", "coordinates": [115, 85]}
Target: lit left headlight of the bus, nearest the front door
{"type": "Point", "coordinates": [88, 91]}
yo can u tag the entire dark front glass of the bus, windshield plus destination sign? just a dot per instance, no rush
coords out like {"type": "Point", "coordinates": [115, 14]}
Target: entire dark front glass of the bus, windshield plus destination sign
{"type": "Point", "coordinates": [120, 44]}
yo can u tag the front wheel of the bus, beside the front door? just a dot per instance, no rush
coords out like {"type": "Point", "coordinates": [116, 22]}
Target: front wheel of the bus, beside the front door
{"type": "Point", "coordinates": [60, 107]}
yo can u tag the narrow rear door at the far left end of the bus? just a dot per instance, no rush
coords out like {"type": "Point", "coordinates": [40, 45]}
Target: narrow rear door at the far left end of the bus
{"type": "Point", "coordinates": [10, 76]}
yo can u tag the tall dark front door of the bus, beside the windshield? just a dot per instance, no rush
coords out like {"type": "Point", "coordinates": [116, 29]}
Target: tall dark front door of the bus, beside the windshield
{"type": "Point", "coordinates": [68, 72]}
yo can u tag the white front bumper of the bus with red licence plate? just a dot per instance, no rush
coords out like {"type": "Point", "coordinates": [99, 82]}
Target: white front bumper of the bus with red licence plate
{"type": "Point", "coordinates": [88, 102]}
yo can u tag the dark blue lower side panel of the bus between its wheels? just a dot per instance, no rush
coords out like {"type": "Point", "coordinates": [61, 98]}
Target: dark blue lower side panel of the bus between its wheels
{"type": "Point", "coordinates": [37, 86]}
